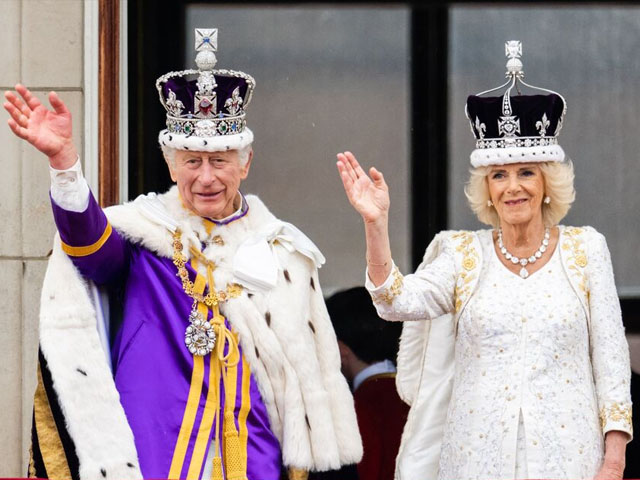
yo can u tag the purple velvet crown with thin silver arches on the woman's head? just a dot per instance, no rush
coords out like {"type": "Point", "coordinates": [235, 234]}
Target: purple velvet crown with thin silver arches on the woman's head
{"type": "Point", "coordinates": [516, 128]}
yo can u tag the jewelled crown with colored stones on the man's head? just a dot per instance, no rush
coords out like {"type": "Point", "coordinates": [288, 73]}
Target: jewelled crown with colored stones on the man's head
{"type": "Point", "coordinates": [206, 107]}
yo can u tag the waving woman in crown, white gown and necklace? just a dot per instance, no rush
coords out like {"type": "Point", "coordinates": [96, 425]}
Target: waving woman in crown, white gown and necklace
{"type": "Point", "coordinates": [513, 353]}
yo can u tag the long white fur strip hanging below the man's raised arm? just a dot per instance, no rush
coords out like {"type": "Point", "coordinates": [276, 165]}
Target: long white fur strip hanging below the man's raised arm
{"type": "Point", "coordinates": [82, 378]}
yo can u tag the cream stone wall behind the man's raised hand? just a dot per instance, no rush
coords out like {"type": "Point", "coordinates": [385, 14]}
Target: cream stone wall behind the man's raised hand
{"type": "Point", "coordinates": [42, 47]}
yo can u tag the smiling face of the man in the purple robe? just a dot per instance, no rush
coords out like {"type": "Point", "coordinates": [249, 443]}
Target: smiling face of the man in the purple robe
{"type": "Point", "coordinates": [208, 182]}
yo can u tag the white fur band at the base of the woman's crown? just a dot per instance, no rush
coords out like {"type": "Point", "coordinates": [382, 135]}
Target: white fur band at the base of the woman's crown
{"type": "Point", "coordinates": [482, 157]}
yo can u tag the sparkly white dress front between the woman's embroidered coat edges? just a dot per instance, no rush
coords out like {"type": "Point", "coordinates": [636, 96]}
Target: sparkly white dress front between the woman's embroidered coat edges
{"type": "Point", "coordinates": [521, 352]}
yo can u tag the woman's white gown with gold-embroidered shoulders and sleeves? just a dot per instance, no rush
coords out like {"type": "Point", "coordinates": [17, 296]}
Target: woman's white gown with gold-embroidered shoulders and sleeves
{"type": "Point", "coordinates": [536, 383]}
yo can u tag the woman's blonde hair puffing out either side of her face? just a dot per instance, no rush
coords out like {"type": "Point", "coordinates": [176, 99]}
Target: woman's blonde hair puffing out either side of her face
{"type": "Point", "coordinates": [558, 186]}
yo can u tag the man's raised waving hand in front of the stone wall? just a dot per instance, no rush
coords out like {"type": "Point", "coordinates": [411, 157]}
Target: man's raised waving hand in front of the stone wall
{"type": "Point", "coordinates": [47, 130]}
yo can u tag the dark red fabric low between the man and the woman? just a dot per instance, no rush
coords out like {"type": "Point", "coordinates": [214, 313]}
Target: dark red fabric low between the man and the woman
{"type": "Point", "coordinates": [381, 418]}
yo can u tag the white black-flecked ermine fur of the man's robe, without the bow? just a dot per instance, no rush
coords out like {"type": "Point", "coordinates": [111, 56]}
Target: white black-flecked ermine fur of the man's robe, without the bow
{"type": "Point", "coordinates": [293, 356]}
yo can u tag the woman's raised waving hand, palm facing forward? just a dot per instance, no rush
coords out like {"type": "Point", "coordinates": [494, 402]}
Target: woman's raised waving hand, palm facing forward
{"type": "Point", "coordinates": [368, 195]}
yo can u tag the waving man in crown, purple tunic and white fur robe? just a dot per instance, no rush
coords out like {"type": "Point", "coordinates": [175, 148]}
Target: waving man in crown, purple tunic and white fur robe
{"type": "Point", "coordinates": [222, 363]}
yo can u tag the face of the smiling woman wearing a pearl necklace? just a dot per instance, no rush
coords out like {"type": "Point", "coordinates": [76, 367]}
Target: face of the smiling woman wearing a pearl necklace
{"type": "Point", "coordinates": [516, 191]}
